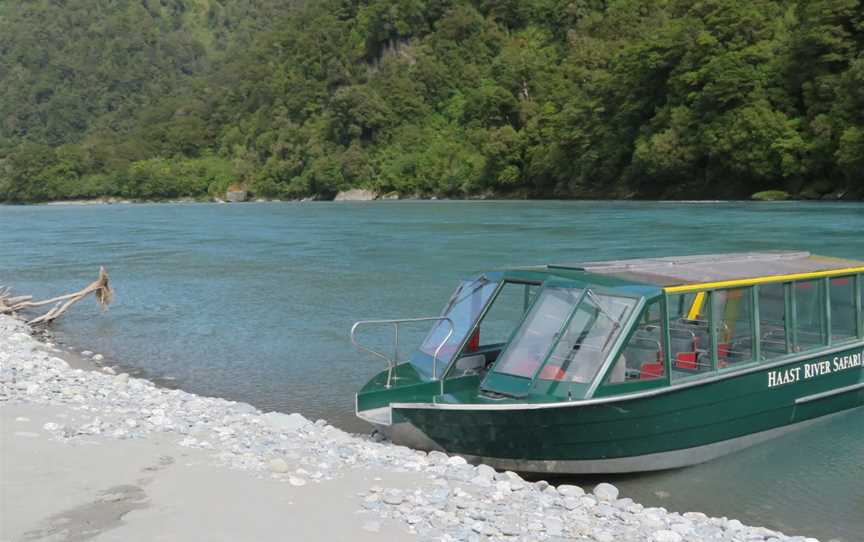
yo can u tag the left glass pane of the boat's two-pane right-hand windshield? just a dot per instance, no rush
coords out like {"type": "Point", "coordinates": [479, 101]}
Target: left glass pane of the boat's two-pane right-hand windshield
{"type": "Point", "coordinates": [529, 346]}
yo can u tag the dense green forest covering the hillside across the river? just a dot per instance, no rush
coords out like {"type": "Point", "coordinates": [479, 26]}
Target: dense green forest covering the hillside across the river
{"type": "Point", "coordinates": [151, 99]}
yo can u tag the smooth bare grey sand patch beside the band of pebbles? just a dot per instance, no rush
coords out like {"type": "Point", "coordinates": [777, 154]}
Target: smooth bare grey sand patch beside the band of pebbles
{"type": "Point", "coordinates": [154, 489]}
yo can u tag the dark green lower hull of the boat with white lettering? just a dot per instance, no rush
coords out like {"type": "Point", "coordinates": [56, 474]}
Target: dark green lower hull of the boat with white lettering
{"type": "Point", "coordinates": [678, 426]}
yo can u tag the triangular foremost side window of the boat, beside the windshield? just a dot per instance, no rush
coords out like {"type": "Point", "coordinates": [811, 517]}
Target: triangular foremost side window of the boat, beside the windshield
{"type": "Point", "coordinates": [643, 357]}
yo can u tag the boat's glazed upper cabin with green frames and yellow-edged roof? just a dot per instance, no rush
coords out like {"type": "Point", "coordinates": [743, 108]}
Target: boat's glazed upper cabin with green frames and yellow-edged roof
{"type": "Point", "coordinates": [598, 329]}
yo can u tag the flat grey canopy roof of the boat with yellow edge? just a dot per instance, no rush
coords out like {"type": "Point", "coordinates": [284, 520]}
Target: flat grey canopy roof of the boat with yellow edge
{"type": "Point", "coordinates": [689, 273]}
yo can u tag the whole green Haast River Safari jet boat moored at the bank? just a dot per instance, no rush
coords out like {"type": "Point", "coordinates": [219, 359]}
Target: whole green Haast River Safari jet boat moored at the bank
{"type": "Point", "coordinates": [626, 366]}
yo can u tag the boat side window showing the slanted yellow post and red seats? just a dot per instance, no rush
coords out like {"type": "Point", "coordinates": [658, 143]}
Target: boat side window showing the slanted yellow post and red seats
{"type": "Point", "coordinates": [690, 335]}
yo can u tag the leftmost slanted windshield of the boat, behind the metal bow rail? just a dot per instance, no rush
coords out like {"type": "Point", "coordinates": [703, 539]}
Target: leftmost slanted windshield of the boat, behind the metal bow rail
{"type": "Point", "coordinates": [464, 308]}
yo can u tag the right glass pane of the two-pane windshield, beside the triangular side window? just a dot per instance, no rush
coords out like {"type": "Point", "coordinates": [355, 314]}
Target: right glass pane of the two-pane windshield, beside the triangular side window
{"type": "Point", "coordinates": [589, 338]}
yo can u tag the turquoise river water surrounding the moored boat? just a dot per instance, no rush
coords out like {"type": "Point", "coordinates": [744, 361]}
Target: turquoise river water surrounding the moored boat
{"type": "Point", "coordinates": [254, 302]}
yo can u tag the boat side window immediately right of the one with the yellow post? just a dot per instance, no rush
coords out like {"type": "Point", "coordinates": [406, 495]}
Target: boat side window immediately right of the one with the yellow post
{"type": "Point", "coordinates": [733, 326]}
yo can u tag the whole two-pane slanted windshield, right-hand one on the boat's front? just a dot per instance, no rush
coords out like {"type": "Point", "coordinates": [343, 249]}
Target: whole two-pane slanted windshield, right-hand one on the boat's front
{"type": "Point", "coordinates": [572, 340]}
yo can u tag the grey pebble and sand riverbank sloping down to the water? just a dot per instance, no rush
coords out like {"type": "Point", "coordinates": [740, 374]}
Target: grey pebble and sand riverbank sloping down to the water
{"type": "Point", "coordinates": [360, 488]}
